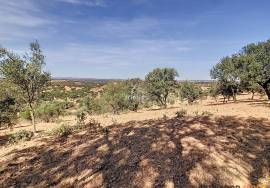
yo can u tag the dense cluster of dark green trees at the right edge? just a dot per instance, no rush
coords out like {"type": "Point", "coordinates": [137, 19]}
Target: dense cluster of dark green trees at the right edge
{"type": "Point", "coordinates": [248, 70]}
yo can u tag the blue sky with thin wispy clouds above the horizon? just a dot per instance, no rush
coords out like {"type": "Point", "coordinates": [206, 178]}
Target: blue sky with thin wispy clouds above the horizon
{"type": "Point", "coordinates": [128, 38]}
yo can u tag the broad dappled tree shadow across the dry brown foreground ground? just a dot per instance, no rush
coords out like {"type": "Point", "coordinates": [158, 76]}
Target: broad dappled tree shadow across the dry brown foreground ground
{"type": "Point", "coordinates": [179, 152]}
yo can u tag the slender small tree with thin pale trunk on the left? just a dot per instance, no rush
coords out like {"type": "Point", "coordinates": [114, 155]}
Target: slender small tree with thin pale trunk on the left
{"type": "Point", "coordinates": [27, 73]}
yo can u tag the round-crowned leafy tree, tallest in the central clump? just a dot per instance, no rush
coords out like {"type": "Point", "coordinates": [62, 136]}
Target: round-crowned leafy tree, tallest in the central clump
{"type": "Point", "coordinates": [160, 83]}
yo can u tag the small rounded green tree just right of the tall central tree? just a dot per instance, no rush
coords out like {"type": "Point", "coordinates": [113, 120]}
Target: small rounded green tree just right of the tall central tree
{"type": "Point", "coordinates": [190, 92]}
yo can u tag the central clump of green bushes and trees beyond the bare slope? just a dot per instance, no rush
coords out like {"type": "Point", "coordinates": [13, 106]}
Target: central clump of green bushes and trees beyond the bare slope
{"type": "Point", "coordinates": [159, 88]}
